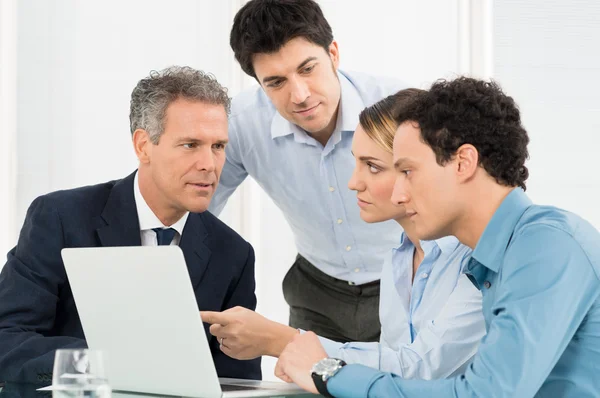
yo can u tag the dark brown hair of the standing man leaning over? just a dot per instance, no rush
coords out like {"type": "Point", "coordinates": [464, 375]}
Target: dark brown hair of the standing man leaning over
{"type": "Point", "coordinates": [264, 26]}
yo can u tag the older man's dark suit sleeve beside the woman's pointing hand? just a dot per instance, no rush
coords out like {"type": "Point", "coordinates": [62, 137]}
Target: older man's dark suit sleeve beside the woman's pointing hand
{"type": "Point", "coordinates": [240, 294]}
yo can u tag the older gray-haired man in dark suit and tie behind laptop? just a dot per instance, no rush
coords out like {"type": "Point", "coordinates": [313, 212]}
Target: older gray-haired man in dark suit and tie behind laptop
{"type": "Point", "coordinates": [178, 123]}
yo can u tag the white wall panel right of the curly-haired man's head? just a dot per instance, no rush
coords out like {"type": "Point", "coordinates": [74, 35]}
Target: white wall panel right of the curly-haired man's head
{"type": "Point", "coordinates": [546, 56]}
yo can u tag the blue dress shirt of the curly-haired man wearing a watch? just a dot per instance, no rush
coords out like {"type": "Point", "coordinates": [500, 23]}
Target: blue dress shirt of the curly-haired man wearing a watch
{"type": "Point", "coordinates": [538, 268]}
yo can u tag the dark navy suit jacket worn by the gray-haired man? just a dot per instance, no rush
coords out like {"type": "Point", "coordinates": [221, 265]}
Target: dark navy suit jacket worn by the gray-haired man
{"type": "Point", "coordinates": [37, 309]}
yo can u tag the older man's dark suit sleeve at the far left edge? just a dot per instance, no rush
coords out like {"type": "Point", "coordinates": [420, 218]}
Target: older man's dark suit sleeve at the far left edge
{"type": "Point", "coordinates": [30, 285]}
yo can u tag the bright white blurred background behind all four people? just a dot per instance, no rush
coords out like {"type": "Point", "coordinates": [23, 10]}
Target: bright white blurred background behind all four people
{"type": "Point", "coordinates": [67, 69]}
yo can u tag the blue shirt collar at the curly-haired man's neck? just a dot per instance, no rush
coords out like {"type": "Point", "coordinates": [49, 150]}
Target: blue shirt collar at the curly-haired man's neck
{"type": "Point", "coordinates": [493, 242]}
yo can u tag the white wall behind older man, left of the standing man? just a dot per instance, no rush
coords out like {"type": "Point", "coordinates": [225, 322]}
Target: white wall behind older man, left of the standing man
{"type": "Point", "coordinates": [79, 62]}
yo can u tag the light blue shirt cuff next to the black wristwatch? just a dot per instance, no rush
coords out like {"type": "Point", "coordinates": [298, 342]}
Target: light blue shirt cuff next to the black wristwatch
{"type": "Point", "coordinates": [352, 381]}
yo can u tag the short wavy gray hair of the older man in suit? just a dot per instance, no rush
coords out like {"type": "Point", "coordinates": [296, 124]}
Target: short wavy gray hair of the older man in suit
{"type": "Point", "coordinates": [153, 94]}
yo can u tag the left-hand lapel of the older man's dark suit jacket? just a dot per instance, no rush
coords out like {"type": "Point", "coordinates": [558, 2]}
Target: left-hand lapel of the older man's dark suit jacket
{"type": "Point", "coordinates": [120, 215]}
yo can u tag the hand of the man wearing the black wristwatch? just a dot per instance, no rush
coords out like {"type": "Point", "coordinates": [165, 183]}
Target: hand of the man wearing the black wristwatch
{"type": "Point", "coordinates": [297, 359]}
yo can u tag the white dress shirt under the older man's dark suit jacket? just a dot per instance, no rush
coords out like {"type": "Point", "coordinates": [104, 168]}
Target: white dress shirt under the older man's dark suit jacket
{"type": "Point", "coordinates": [148, 219]}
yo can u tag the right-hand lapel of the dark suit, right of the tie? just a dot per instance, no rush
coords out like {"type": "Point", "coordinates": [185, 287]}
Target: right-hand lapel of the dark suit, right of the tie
{"type": "Point", "coordinates": [194, 244]}
